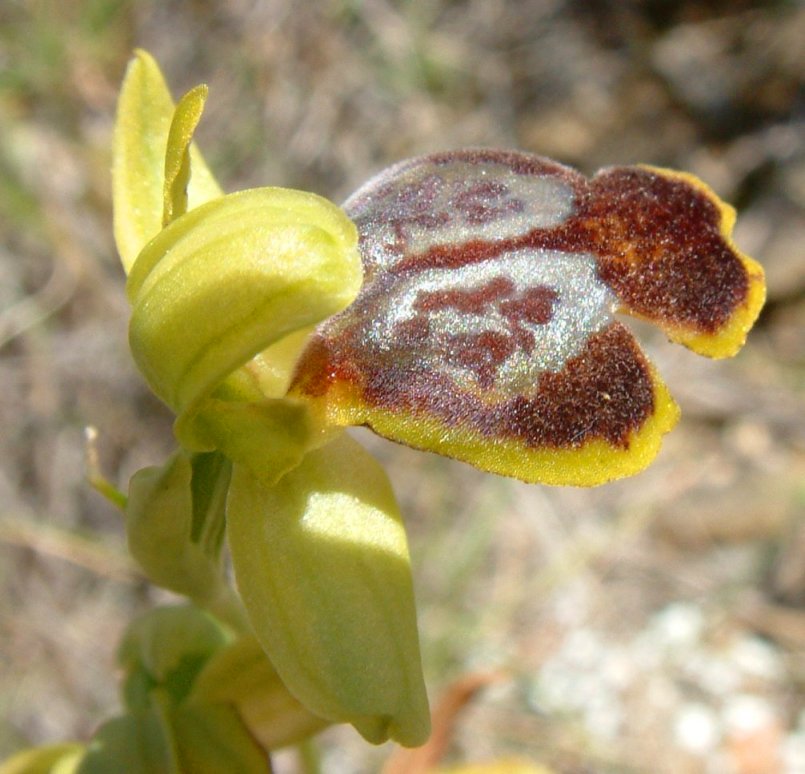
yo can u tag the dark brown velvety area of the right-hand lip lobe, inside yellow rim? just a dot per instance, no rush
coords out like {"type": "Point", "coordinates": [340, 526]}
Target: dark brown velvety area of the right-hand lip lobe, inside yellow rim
{"type": "Point", "coordinates": [661, 248]}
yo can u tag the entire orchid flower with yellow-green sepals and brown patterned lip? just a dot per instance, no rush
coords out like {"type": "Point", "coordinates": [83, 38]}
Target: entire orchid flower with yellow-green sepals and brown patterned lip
{"type": "Point", "coordinates": [462, 303]}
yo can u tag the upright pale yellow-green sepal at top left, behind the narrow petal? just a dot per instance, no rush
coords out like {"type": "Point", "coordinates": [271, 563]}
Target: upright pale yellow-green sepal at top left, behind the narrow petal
{"type": "Point", "coordinates": [144, 114]}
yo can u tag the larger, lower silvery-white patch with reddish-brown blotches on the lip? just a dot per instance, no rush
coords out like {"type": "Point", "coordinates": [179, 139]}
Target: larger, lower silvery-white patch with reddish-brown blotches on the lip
{"type": "Point", "coordinates": [496, 324]}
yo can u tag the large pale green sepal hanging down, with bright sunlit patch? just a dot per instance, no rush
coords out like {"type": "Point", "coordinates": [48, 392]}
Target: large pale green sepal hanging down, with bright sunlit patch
{"type": "Point", "coordinates": [322, 564]}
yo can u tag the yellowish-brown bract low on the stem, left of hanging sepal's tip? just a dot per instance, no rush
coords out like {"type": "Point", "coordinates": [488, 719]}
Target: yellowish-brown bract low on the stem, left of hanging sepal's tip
{"type": "Point", "coordinates": [241, 675]}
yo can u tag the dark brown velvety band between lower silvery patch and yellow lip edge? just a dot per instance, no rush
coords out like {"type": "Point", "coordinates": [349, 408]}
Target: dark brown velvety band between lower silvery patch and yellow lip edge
{"type": "Point", "coordinates": [605, 392]}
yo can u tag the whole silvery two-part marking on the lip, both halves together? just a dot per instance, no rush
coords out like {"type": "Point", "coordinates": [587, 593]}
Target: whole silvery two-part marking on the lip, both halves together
{"type": "Point", "coordinates": [490, 322]}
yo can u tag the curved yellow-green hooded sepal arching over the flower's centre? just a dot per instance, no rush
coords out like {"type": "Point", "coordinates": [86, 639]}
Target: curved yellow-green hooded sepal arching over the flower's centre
{"type": "Point", "coordinates": [227, 280]}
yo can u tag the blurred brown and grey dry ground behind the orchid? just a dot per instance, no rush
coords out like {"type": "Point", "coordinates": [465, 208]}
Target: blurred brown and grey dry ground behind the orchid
{"type": "Point", "coordinates": [655, 624]}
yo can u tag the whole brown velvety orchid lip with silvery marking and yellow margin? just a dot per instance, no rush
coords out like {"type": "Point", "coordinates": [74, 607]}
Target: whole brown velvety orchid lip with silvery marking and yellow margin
{"type": "Point", "coordinates": [485, 329]}
